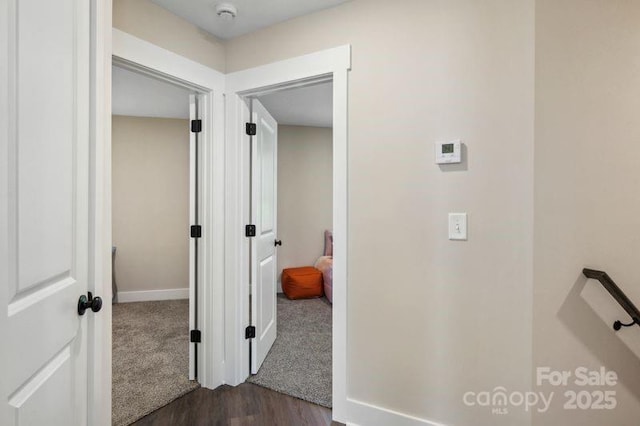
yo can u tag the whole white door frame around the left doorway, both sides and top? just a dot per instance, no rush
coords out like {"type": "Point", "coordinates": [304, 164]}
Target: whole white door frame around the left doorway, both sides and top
{"type": "Point", "coordinates": [134, 53]}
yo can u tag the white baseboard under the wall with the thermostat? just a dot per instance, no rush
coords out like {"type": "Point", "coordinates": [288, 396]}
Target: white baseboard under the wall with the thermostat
{"type": "Point", "coordinates": [361, 413]}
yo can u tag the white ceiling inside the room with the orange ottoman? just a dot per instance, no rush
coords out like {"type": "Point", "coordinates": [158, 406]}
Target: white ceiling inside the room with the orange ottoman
{"type": "Point", "coordinates": [305, 106]}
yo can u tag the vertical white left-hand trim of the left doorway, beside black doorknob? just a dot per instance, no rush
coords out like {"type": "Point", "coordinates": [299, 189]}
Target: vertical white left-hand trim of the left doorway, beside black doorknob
{"type": "Point", "coordinates": [99, 341]}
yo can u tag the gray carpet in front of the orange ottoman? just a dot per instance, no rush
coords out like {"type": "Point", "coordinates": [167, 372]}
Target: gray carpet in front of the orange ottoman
{"type": "Point", "coordinates": [299, 363]}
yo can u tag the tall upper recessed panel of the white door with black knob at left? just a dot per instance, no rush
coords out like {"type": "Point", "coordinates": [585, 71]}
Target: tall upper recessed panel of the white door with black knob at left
{"type": "Point", "coordinates": [45, 90]}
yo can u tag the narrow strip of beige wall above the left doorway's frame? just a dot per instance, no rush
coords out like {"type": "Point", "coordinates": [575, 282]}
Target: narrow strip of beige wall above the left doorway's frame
{"type": "Point", "coordinates": [150, 22]}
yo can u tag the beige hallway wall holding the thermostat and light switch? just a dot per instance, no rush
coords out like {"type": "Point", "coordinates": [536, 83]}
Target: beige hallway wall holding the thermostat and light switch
{"type": "Point", "coordinates": [430, 319]}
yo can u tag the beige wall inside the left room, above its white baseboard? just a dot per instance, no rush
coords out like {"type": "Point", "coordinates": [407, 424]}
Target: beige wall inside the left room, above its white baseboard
{"type": "Point", "coordinates": [150, 167]}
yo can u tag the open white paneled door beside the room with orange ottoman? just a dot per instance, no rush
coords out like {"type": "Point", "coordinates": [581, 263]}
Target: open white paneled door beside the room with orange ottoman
{"type": "Point", "coordinates": [263, 254]}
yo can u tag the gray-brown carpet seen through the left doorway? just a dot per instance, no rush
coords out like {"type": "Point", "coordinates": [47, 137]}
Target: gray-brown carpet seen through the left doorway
{"type": "Point", "coordinates": [150, 357]}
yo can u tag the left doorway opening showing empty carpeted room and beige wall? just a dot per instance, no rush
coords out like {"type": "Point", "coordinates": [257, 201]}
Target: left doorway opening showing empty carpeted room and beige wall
{"type": "Point", "coordinates": [154, 167]}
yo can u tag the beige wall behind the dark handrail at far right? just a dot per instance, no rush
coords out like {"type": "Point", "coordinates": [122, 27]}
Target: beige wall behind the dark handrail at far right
{"type": "Point", "coordinates": [587, 190]}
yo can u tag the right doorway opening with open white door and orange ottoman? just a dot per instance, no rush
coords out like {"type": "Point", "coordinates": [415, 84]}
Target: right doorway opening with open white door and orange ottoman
{"type": "Point", "coordinates": [291, 255]}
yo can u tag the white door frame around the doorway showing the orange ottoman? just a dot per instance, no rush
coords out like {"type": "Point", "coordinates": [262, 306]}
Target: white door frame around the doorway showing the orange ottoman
{"type": "Point", "coordinates": [331, 64]}
